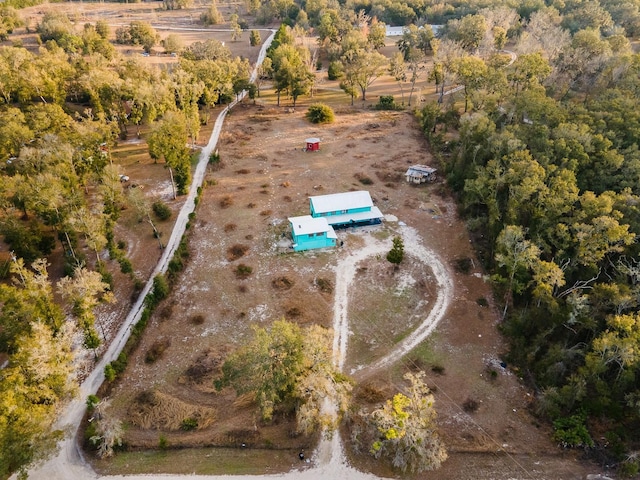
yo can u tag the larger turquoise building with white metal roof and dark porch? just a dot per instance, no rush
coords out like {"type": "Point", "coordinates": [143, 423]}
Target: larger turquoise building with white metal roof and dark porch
{"type": "Point", "coordinates": [346, 209]}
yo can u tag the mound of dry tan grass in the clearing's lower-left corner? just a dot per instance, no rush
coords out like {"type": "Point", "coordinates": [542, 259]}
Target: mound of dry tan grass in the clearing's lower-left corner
{"type": "Point", "coordinates": [160, 411]}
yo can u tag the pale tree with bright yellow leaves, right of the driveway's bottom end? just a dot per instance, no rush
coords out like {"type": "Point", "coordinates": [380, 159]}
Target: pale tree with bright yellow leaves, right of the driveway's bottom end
{"type": "Point", "coordinates": [406, 428]}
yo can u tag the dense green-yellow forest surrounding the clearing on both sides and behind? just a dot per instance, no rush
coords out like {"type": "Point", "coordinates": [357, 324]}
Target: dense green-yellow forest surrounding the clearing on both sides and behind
{"type": "Point", "coordinates": [540, 146]}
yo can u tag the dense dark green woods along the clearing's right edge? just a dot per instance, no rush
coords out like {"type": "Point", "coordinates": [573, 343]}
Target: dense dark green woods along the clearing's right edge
{"type": "Point", "coordinates": [546, 169]}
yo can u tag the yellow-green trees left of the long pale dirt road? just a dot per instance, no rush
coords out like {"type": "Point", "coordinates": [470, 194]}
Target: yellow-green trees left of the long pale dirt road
{"type": "Point", "coordinates": [62, 110]}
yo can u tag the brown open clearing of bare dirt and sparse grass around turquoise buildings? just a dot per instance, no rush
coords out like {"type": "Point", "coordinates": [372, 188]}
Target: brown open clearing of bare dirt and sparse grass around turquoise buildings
{"type": "Point", "coordinates": [265, 176]}
